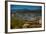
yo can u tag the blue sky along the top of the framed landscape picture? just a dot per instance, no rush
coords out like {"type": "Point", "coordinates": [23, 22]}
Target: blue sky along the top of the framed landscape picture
{"type": "Point", "coordinates": [15, 7]}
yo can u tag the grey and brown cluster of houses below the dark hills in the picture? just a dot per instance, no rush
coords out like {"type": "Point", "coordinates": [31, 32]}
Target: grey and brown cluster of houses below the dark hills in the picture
{"type": "Point", "coordinates": [32, 19]}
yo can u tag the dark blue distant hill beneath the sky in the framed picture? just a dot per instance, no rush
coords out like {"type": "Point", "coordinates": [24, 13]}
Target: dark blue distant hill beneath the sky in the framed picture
{"type": "Point", "coordinates": [27, 11]}
